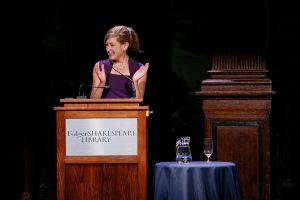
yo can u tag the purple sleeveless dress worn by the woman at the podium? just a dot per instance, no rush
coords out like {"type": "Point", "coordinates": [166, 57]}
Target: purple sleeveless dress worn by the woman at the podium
{"type": "Point", "coordinates": [119, 85]}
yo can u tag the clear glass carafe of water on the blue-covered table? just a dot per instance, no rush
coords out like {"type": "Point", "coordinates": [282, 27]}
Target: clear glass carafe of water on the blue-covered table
{"type": "Point", "coordinates": [183, 150]}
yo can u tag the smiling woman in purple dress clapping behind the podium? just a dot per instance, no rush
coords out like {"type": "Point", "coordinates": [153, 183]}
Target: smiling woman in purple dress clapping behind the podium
{"type": "Point", "coordinates": [119, 76]}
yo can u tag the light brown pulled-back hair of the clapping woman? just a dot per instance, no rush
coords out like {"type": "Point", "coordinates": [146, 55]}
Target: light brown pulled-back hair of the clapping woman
{"type": "Point", "coordinates": [124, 34]}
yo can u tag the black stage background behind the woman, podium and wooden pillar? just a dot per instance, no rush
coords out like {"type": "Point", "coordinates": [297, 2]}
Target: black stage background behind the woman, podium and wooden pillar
{"type": "Point", "coordinates": [51, 46]}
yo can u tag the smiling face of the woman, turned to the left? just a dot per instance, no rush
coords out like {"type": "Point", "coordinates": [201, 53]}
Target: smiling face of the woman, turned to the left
{"type": "Point", "coordinates": [115, 49]}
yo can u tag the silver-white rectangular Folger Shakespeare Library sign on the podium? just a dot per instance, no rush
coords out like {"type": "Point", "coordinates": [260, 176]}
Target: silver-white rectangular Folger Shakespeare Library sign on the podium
{"type": "Point", "coordinates": [101, 136]}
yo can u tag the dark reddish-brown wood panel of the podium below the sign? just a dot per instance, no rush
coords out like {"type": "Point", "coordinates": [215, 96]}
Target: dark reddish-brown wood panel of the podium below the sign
{"type": "Point", "coordinates": [102, 182]}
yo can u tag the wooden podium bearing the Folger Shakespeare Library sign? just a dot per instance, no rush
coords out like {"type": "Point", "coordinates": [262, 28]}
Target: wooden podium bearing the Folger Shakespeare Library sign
{"type": "Point", "coordinates": [101, 149]}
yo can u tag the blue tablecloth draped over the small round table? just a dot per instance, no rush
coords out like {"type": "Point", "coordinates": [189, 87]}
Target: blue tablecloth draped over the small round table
{"type": "Point", "coordinates": [198, 180]}
